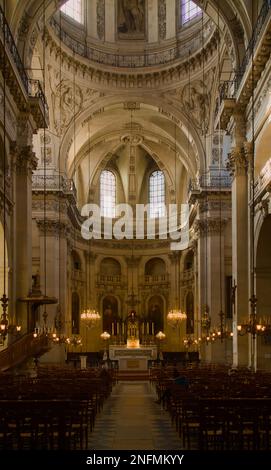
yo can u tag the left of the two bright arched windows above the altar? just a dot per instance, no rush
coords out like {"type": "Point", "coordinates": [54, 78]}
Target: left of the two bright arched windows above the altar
{"type": "Point", "coordinates": [108, 194]}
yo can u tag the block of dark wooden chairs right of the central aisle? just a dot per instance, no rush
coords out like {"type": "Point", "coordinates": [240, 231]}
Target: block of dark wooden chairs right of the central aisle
{"type": "Point", "coordinates": [213, 409]}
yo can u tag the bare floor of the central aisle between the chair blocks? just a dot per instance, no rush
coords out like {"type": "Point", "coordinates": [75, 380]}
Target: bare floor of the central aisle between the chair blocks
{"type": "Point", "coordinates": [132, 420]}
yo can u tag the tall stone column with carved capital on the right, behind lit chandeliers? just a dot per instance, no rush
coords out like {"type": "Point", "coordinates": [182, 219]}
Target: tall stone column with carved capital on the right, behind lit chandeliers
{"type": "Point", "coordinates": [238, 165]}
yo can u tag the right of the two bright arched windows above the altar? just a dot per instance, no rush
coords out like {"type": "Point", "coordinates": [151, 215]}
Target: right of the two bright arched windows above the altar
{"type": "Point", "coordinates": [157, 194]}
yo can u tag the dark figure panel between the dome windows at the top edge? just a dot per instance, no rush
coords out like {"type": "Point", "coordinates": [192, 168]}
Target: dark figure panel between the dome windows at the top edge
{"type": "Point", "coordinates": [131, 18]}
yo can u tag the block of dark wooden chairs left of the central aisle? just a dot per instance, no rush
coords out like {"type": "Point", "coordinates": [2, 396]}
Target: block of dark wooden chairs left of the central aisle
{"type": "Point", "coordinates": [55, 410]}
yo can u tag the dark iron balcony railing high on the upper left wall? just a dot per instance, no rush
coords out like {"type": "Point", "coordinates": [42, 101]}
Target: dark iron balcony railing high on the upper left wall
{"type": "Point", "coordinates": [32, 87]}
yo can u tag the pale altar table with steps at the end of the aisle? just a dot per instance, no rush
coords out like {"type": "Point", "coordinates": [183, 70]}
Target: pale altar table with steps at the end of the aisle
{"type": "Point", "coordinates": [133, 358]}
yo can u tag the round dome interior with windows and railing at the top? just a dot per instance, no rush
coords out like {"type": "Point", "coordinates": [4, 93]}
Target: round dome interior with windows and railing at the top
{"type": "Point", "coordinates": [132, 33]}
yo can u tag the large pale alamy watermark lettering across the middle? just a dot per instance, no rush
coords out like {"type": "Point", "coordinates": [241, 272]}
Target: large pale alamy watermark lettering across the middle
{"type": "Point", "coordinates": [129, 223]}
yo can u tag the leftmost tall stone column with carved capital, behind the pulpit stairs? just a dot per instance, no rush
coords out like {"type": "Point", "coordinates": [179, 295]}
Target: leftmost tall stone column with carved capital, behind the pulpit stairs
{"type": "Point", "coordinates": [24, 162]}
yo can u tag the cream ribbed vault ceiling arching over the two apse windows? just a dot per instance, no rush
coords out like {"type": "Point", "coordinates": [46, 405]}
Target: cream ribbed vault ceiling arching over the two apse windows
{"type": "Point", "coordinates": [104, 135]}
